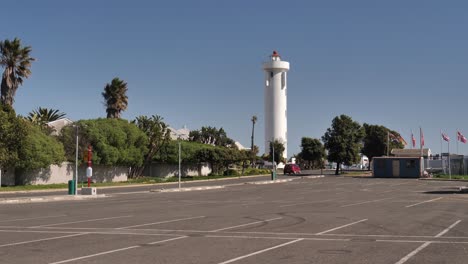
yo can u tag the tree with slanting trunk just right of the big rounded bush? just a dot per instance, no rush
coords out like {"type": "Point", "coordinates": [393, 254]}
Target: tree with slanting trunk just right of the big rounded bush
{"type": "Point", "coordinates": [158, 135]}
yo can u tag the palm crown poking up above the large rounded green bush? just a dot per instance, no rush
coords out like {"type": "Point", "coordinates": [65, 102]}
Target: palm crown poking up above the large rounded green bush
{"type": "Point", "coordinates": [115, 96]}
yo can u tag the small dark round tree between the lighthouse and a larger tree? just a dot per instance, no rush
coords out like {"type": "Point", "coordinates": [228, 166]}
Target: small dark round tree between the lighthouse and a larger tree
{"type": "Point", "coordinates": [312, 152]}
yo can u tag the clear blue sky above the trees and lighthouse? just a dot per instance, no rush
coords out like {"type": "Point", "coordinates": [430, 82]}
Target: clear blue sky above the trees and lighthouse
{"type": "Point", "coordinates": [401, 64]}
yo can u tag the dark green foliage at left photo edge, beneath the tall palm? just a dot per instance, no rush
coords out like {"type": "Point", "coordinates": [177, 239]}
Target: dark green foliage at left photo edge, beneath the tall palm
{"type": "Point", "coordinates": [12, 134]}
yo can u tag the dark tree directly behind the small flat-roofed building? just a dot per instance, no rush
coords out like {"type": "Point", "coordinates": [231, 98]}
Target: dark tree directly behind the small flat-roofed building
{"type": "Point", "coordinates": [375, 141]}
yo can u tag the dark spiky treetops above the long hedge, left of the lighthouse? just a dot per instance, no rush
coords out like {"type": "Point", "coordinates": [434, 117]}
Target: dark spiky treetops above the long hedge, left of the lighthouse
{"type": "Point", "coordinates": [212, 136]}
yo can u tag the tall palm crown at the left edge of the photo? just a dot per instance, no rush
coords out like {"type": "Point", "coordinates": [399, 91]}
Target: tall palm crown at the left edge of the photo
{"type": "Point", "coordinates": [17, 62]}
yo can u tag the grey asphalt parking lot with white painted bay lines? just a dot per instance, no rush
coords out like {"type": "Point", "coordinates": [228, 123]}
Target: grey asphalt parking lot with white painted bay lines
{"type": "Point", "coordinates": [321, 220]}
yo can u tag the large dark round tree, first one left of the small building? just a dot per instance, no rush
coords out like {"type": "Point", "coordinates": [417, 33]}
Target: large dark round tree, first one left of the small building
{"type": "Point", "coordinates": [343, 141]}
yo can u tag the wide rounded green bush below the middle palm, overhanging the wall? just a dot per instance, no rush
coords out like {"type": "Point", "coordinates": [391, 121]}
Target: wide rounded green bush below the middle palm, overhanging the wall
{"type": "Point", "coordinates": [114, 141]}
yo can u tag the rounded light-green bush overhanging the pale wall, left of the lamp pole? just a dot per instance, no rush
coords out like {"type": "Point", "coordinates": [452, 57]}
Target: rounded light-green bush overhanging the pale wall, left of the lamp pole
{"type": "Point", "coordinates": [39, 150]}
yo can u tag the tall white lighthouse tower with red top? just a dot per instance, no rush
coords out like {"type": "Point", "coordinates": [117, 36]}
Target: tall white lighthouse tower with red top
{"type": "Point", "coordinates": [275, 102]}
